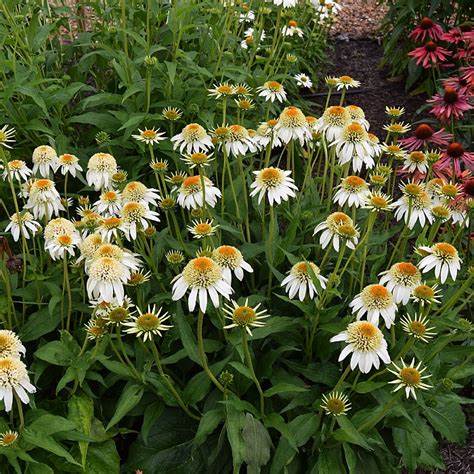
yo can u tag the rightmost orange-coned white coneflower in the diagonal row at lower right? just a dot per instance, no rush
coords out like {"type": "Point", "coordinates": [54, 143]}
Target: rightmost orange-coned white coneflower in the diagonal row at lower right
{"type": "Point", "coordinates": [443, 258]}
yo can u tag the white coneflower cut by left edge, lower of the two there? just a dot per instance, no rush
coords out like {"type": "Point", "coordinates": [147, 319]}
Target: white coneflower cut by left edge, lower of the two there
{"type": "Point", "coordinates": [14, 380]}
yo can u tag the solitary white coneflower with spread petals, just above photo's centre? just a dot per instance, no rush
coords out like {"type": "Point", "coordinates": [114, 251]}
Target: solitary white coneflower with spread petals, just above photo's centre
{"type": "Point", "coordinates": [275, 183]}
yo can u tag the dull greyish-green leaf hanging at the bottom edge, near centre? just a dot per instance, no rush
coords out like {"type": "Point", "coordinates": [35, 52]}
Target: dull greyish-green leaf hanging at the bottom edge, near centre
{"type": "Point", "coordinates": [257, 443]}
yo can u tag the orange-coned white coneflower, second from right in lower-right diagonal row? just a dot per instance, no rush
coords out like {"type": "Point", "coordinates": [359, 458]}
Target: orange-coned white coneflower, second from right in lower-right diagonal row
{"type": "Point", "coordinates": [401, 279]}
